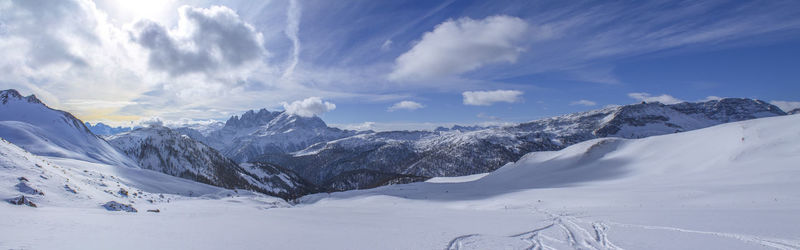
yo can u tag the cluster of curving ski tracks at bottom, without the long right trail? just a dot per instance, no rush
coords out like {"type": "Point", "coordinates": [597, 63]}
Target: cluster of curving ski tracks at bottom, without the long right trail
{"type": "Point", "coordinates": [561, 232]}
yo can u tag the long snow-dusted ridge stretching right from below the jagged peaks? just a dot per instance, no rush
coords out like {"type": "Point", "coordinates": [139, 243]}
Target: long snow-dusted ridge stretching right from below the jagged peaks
{"type": "Point", "coordinates": [457, 152]}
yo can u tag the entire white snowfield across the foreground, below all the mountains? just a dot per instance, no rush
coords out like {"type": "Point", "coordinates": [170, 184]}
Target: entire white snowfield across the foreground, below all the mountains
{"type": "Point", "coordinates": [731, 186]}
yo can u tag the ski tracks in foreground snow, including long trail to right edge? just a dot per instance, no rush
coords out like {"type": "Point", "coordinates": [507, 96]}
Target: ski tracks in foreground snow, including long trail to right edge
{"type": "Point", "coordinates": [573, 235]}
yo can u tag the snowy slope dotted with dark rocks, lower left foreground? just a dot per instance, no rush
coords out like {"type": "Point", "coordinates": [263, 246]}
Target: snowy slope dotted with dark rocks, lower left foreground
{"type": "Point", "coordinates": [61, 182]}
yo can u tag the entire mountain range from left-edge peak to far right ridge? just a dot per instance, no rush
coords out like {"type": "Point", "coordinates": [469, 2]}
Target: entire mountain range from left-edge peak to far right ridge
{"type": "Point", "coordinates": [287, 155]}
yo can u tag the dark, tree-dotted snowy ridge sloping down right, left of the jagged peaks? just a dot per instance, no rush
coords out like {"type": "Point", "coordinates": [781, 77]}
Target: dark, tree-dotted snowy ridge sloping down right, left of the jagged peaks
{"type": "Point", "coordinates": [164, 150]}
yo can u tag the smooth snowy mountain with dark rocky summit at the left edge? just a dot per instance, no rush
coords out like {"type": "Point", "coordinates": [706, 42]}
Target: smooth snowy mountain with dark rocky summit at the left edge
{"type": "Point", "coordinates": [30, 124]}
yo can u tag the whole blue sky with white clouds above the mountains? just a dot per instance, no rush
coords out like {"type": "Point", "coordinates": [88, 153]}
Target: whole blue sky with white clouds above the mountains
{"type": "Point", "coordinates": [434, 62]}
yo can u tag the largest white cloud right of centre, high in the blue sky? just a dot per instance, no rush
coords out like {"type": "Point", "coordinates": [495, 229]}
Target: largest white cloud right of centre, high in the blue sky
{"type": "Point", "coordinates": [458, 46]}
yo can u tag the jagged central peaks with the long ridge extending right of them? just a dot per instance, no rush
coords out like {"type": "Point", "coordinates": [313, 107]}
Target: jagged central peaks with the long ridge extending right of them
{"type": "Point", "coordinates": [325, 155]}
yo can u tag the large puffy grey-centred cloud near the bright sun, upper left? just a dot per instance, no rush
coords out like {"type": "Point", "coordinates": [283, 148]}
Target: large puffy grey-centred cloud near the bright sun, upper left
{"type": "Point", "coordinates": [206, 40]}
